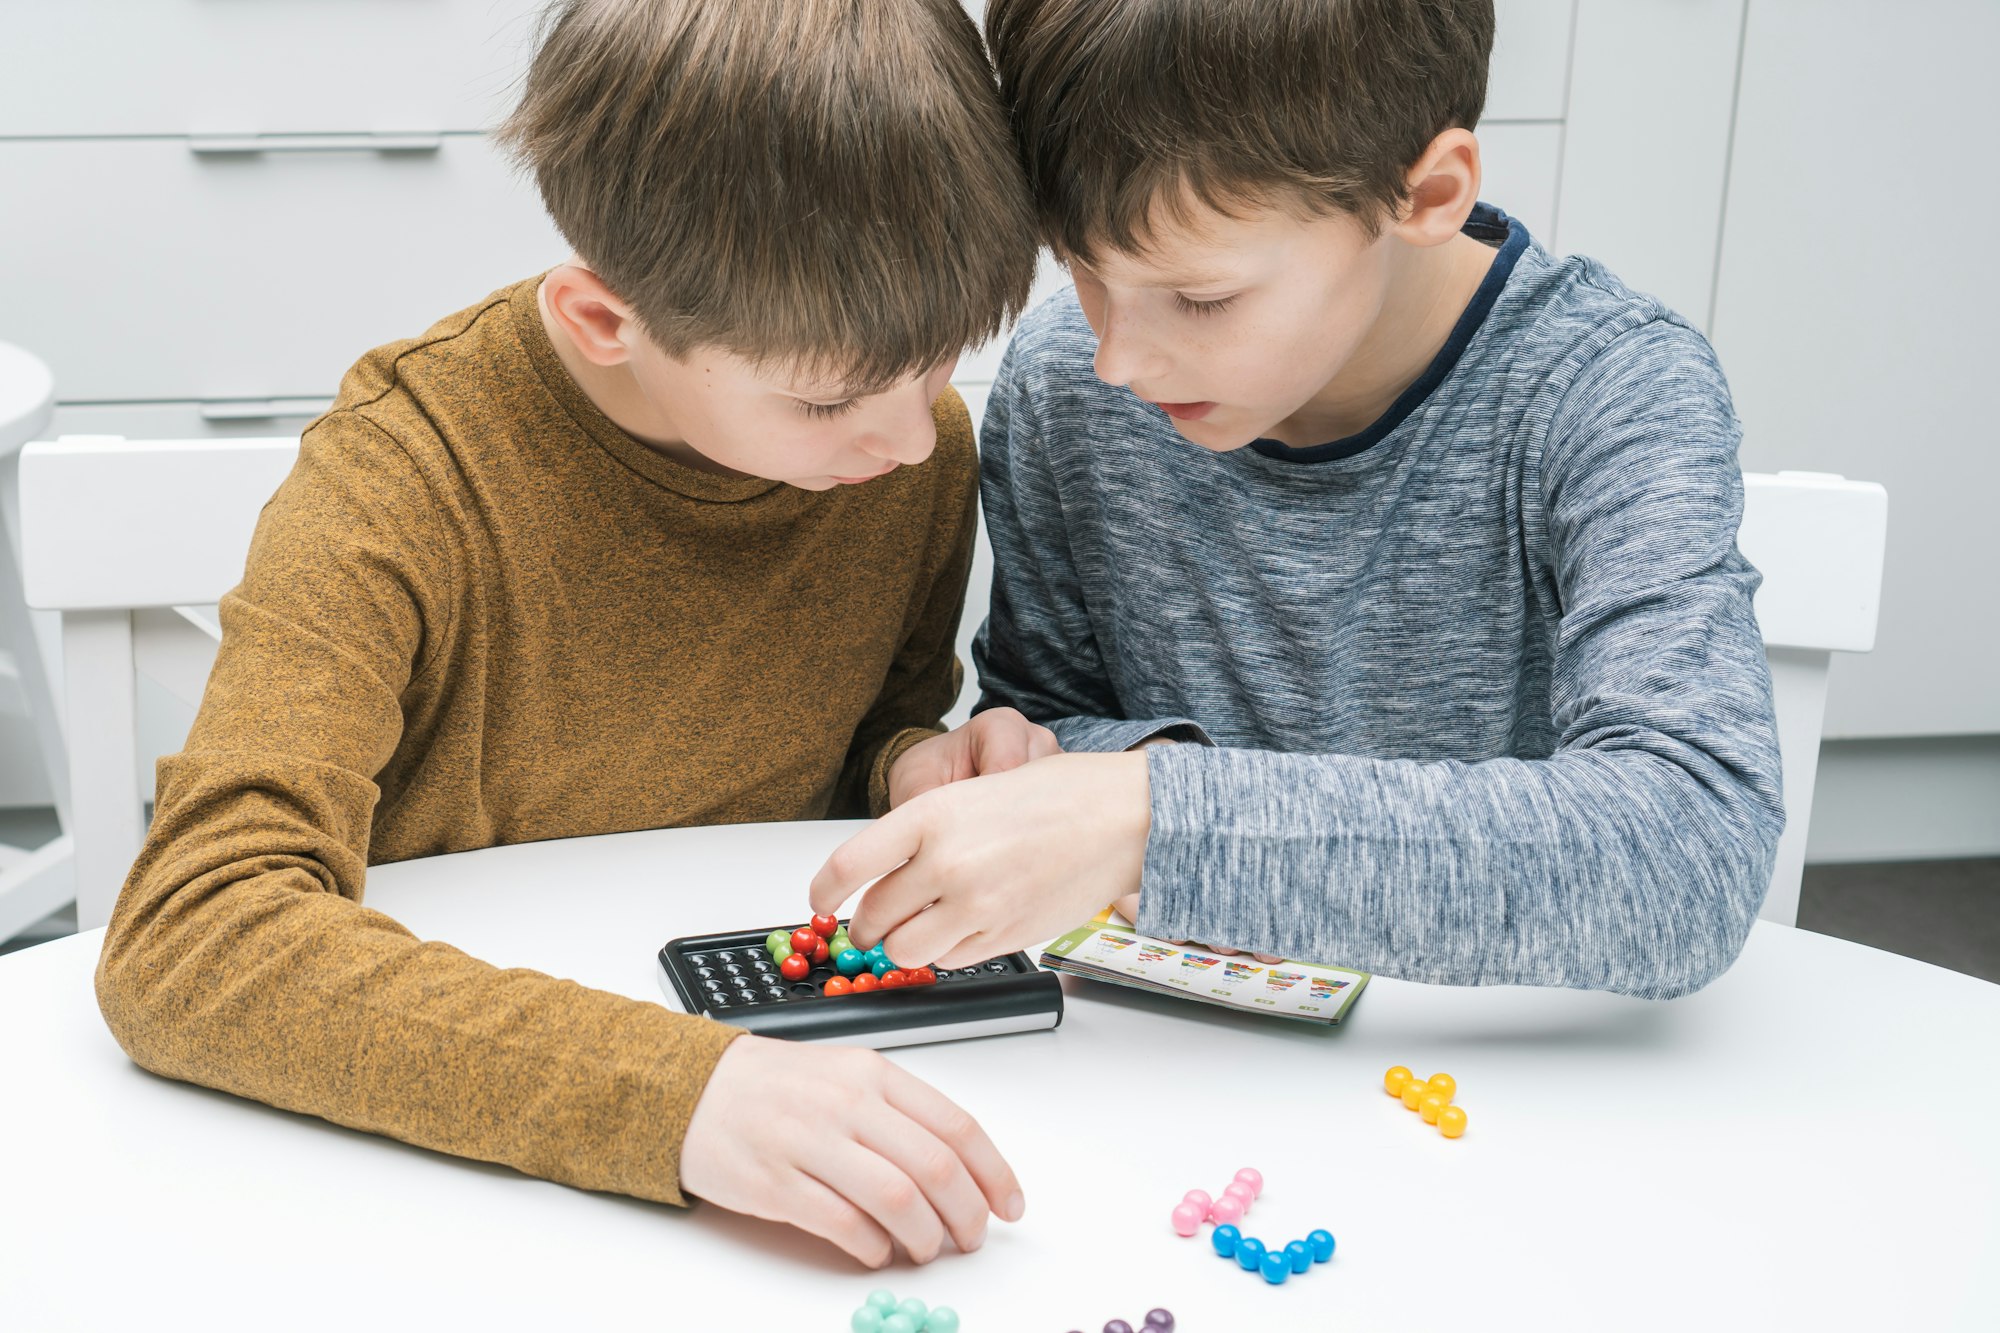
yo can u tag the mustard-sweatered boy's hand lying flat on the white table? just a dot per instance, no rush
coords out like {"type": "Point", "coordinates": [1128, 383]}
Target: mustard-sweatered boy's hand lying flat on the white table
{"type": "Point", "coordinates": [887, 1160]}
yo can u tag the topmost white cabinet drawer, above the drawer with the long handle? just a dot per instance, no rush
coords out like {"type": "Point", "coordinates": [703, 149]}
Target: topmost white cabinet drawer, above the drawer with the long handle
{"type": "Point", "coordinates": [269, 67]}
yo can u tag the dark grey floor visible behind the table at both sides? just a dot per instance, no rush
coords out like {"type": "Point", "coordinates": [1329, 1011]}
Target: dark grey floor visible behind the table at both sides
{"type": "Point", "coordinates": [1939, 912]}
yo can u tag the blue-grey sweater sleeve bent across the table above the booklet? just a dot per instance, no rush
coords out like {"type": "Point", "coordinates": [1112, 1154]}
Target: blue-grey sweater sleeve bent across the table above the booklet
{"type": "Point", "coordinates": [1637, 856]}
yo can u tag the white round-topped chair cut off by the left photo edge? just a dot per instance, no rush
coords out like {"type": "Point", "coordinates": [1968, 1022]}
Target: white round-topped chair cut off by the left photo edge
{"type": "Point", "coordinates": [33, 884]}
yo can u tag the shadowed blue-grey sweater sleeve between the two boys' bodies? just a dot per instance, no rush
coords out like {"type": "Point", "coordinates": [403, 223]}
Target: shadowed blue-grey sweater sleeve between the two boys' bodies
{"type": "Point", "coordinates": [1039, 651]}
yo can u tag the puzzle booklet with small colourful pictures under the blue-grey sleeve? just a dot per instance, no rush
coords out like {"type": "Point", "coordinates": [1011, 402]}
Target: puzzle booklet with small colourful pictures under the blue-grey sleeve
{"type": "Point", "coordinates": [1109, 950]}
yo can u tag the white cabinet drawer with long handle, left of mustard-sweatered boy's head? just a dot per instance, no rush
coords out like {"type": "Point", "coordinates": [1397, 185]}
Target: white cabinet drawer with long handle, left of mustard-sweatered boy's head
{"type": "Point", "coordinates": [149, 273]}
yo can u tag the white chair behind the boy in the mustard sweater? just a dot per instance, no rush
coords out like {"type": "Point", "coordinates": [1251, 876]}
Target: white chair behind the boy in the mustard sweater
{"type": "Point", "coordinates": [133, 541]}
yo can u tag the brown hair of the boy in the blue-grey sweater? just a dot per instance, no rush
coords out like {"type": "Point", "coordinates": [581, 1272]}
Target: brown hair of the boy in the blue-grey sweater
{"type": "Point", "coordinates": [1129, 111]}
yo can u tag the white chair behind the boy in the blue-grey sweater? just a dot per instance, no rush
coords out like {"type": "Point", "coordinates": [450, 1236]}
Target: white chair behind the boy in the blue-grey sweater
{"type": "Point", "coordinates": [1819, 543]}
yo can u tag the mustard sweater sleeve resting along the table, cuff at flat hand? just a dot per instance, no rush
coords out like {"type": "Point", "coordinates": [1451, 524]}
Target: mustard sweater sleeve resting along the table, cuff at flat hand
{"type": "Point", "coordinates": [241, 954]}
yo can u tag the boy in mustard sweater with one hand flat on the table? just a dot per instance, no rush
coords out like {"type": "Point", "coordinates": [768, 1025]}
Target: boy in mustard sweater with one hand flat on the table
{"type": "Point", "coordinates": [675, 533]}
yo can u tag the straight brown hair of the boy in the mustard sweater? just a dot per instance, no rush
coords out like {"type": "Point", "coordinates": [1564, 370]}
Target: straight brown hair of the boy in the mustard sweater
{"type": "Point", "coordinates": [825, 185]}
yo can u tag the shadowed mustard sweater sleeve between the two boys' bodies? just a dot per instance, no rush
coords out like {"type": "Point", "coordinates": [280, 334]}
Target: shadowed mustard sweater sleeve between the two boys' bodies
{"type": "Point", "coordinates": [925, 678]}
